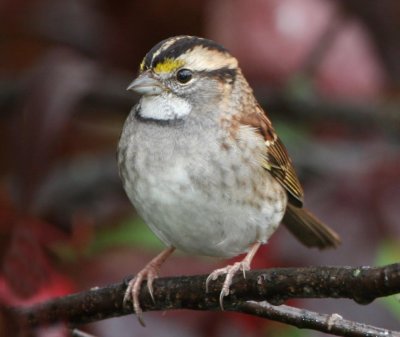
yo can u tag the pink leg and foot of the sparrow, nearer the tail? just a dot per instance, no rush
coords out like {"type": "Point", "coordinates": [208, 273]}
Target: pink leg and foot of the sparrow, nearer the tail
{"type": "Point", "coordinates": [230, 272]}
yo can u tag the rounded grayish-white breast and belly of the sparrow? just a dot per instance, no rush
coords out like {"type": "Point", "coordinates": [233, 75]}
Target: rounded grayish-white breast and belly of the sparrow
{"type": "Point", "coordinates": [193, 192]}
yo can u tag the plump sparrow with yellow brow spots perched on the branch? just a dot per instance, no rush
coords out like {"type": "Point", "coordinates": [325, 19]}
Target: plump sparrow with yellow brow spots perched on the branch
{"type": "Point", "coordinates": [202, 164]}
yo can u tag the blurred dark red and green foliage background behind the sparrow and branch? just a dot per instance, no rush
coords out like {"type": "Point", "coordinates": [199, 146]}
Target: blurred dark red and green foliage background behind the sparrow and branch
{"type": "Point", "coordinates": [328, 72]}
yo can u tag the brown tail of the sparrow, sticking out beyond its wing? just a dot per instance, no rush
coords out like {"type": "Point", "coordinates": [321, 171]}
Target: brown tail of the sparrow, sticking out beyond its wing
{"type": "Point", "coordinates": [308, 229]}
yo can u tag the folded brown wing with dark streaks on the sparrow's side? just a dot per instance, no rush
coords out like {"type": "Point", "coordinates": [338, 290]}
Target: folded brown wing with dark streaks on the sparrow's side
{"type": "Point", "coordinates": [277, 160]}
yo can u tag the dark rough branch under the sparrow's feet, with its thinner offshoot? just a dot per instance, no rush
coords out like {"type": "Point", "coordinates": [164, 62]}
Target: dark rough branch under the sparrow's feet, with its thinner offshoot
{"type": "Point", "coordinates": [362, 284]}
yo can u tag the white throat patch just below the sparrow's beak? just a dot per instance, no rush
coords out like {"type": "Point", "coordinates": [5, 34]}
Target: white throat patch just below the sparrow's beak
{"type": "Point", "coordinates": [164, 107]}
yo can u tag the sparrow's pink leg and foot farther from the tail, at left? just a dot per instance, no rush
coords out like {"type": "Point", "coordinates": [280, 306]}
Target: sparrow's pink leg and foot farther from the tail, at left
{"type": "Point", "coordinates": [149, 272]}
